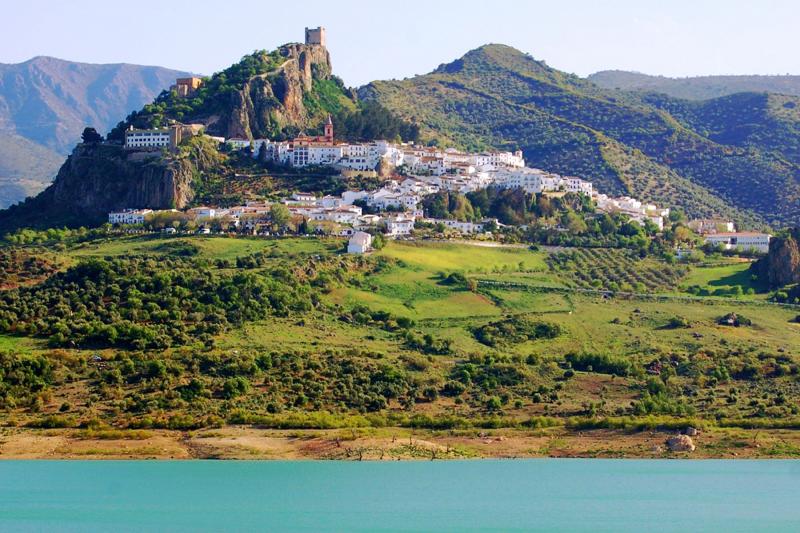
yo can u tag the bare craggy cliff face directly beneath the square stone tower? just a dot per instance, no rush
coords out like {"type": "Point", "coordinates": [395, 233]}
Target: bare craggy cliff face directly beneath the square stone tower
{"type": "Point", "coordinates": [270, 102]}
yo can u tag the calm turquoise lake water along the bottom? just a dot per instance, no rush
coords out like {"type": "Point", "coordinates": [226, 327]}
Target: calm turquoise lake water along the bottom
{"type": "Point", "coordinates": [520, 495]}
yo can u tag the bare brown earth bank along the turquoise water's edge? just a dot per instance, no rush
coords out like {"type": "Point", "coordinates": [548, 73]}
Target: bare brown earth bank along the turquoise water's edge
{"type": "Point", "coordinates": [235, 442]}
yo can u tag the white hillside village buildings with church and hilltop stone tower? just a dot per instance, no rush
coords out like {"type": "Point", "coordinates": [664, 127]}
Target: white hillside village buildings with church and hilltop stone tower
{"type": "Point", "coordinates": [412, 171]}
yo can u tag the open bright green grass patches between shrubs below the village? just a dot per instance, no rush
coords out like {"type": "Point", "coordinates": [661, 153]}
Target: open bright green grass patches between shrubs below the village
{"type": "Point", "coordinates": [633, 329]}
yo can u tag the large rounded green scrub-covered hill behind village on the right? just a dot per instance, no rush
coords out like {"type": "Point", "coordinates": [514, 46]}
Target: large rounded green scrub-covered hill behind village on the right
{"type": "Point", "coordinates": [701, 159]}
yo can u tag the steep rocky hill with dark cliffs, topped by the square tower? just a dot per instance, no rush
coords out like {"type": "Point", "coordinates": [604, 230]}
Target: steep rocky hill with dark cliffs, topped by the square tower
{"type": "Point", "coordinates": [267, 94]}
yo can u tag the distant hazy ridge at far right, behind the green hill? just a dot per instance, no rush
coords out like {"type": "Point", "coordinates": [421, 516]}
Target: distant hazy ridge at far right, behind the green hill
{"type": "Point", "coordinates": [698, 87]}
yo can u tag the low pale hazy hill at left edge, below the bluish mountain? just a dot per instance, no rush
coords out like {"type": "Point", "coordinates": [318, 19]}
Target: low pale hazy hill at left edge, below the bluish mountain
{"type": "Point", "coordinates": [26, 168]}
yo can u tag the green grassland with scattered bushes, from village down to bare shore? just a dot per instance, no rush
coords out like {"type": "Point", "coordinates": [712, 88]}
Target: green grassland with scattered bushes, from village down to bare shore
{"type": "Point", "coordinates": [527, 377]}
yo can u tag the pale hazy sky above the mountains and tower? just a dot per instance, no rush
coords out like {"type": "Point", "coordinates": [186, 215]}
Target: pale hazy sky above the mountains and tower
{"type": "Point", "coordinates": [379, 39]}
